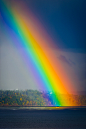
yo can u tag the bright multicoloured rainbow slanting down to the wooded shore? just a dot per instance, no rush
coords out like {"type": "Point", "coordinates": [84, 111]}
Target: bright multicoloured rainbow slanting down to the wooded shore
{"type": "Point", "coordinates": [27, 32]}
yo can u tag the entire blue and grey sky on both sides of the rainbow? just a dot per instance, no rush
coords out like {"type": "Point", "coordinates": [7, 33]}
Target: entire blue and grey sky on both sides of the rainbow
{"type": "Point", "coordinates": [65, 23]}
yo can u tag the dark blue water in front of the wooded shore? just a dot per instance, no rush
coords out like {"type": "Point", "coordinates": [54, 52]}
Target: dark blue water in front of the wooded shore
{"type": "Point", "coordinates": [43, 119]}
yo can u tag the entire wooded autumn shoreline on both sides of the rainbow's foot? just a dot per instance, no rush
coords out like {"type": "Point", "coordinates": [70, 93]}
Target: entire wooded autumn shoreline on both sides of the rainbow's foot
{"type": "Point", "coordinates": [36, 98]}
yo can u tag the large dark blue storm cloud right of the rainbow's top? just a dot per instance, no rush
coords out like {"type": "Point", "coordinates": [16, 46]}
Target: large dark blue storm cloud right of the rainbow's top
{"type": "Point", "coordinates": [64, 20]}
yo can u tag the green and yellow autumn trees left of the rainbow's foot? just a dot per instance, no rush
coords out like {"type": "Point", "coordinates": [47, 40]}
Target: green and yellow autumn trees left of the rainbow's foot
{"type": "Point", "coordinates": [23, 98]}
